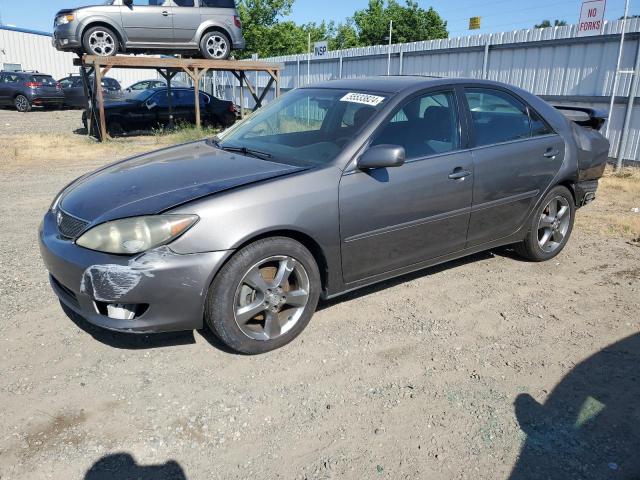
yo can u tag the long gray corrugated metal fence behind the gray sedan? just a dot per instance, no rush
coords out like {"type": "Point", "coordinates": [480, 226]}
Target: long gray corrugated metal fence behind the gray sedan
{"type": "Point", "coordinates": [549, 62]}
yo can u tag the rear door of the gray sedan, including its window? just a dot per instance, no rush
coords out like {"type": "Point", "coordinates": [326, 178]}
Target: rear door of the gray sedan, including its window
{"type": "Point", "coordinates": [516, 155]}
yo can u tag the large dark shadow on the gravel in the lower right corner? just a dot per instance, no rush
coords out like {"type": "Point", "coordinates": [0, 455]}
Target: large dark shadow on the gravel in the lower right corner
{"type": "Point", "coordinates": [589, 426]}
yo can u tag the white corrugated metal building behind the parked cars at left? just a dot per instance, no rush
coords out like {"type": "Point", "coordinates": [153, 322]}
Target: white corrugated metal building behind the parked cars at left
{"type": "Point", "coordinates": [33, 51]}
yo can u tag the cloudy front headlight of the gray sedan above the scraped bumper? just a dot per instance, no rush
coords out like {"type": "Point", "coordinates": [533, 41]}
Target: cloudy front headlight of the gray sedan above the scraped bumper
{"type": "Point", "coordinates": [136, 234]}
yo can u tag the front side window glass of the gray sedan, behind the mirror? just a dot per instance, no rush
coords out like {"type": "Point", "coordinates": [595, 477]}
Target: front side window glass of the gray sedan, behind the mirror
{"type": "Point", "coordinates": [425, 126]}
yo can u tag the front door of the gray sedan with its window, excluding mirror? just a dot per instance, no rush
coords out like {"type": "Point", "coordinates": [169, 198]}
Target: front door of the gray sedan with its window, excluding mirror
{"type": "Point", "coordinates": [392, 218]}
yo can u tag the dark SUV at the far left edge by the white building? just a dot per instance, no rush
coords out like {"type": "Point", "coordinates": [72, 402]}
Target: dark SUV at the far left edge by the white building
{"type": "Point", "coordinates": [26, 89]}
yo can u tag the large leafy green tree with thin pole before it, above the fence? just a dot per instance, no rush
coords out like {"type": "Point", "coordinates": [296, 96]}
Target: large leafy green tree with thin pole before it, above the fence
{"type": "Point", "coordinates": [411, 23]}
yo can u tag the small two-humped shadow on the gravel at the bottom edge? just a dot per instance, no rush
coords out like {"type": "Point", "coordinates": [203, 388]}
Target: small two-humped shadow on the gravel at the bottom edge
{"type": "Point", "coordinates": [122, 466]}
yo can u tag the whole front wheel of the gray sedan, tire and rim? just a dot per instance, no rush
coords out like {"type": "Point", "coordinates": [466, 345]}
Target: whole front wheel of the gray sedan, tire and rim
{"type": "Point", "coordinates": [264, 296]}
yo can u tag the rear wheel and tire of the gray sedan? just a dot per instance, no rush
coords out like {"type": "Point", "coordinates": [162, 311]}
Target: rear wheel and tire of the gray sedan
{"type": "Point", "coordinates": [550, 226]}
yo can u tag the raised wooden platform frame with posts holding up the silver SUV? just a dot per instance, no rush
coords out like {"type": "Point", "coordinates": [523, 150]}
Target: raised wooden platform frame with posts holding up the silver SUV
{"type": "Point", "coordinates": [168, 68]}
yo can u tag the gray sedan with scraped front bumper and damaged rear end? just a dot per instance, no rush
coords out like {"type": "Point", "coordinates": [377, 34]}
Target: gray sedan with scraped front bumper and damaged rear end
{"type": "Point", "coordinates": [327, 189]}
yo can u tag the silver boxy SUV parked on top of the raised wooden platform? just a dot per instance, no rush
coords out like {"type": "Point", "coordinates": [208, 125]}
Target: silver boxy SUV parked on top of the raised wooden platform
{"type": "Point", "coordinates": [210, 28]}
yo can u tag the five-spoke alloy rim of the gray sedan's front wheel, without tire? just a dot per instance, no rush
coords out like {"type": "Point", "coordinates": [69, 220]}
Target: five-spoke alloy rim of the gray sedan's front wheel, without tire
{"type": "Point", "coordinates": [271, 297]}
